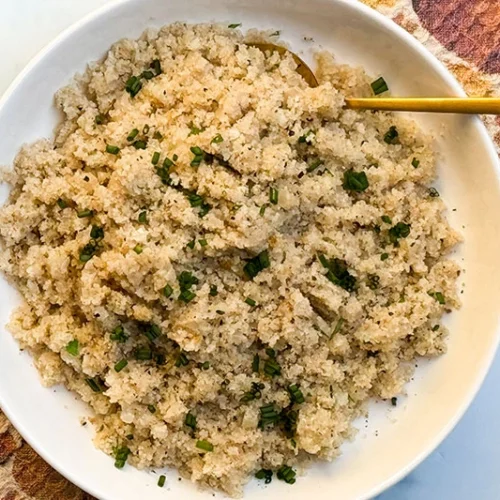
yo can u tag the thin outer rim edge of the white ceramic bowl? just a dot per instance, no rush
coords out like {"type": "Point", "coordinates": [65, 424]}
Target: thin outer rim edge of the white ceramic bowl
{"type": "Point", "coordinates": [440, 69]}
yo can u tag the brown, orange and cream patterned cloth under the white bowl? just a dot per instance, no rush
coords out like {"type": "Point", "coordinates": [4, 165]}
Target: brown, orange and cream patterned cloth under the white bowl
{"type": "Point", "coordinates": [464, 34]}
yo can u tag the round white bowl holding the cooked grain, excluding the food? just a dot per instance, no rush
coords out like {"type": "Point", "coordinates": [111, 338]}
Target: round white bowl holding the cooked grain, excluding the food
{"type": "Point", "coordinates": [395, 440]}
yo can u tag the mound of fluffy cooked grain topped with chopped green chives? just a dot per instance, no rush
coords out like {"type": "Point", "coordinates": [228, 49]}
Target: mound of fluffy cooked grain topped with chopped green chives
{"type": "Point", "coordinates": [223, 262]}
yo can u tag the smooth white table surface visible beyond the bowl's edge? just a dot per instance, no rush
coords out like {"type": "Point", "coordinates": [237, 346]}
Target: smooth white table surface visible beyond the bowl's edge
{"type": "Point", "coordinates": [467, 464]}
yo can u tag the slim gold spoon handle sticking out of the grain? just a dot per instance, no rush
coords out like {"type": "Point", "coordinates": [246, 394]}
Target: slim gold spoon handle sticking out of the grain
{"type": "Point", "coordinates": [467, 105]}
